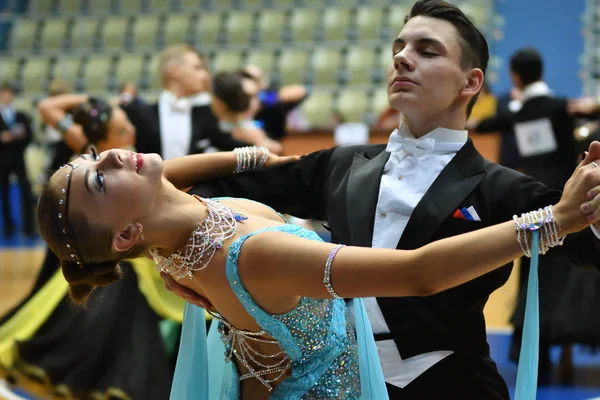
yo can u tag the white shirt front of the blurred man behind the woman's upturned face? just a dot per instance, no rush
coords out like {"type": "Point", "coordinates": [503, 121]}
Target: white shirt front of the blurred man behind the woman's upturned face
{"type": "Point", "coordinates": [175, 116]}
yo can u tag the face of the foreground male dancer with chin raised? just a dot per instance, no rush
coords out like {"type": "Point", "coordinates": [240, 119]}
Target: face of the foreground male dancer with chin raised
{"type": "Point", "coordinates": [426, 77]}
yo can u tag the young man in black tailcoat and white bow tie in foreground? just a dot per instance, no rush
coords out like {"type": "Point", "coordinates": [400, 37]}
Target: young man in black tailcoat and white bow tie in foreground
{"type": "Point", "coordinates": [428, 183]}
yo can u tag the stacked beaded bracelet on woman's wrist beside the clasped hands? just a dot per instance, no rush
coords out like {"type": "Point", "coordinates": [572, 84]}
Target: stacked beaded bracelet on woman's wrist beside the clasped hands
{"type": "Point", "coordinates": [542, 220]}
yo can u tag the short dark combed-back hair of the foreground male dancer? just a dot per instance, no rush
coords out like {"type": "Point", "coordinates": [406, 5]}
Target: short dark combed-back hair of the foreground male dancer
{"type": "Point", "coordinates": [474, 48]}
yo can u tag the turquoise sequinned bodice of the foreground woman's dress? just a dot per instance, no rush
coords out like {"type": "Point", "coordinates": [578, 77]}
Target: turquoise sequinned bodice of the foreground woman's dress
{"type": "Point", "coordinates": [316, 337]}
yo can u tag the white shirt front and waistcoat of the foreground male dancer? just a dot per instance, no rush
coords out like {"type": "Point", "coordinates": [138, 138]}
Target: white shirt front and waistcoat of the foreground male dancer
{"type": "Point", "coordinates": [407, 176]}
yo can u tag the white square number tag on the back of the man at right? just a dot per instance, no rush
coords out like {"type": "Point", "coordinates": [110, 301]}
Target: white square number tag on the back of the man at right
{"type": "Point", "coordinates": [535, 137]}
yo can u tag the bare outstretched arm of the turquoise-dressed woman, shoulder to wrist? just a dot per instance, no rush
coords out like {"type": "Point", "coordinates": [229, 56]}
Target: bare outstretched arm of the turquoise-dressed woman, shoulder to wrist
{"type": "Point", "coordinates": [296, 266]}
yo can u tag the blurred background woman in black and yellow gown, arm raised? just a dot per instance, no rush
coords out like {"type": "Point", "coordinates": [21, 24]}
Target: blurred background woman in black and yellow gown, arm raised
{"type": "Point", "coordinates": [113, 349]}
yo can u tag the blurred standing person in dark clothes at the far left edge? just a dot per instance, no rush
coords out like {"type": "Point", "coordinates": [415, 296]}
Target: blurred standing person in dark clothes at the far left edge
{"type": "Point", "coordinates": [15, 136]}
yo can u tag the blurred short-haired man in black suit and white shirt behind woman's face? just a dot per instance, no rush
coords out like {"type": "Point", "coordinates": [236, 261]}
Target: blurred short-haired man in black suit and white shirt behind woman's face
{"type": "Point", "coordinates": [183, 121]}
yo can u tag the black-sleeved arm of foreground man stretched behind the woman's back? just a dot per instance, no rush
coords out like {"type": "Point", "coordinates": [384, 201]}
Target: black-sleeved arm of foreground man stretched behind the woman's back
{"type": "Point", "coordinates": [296, 188]}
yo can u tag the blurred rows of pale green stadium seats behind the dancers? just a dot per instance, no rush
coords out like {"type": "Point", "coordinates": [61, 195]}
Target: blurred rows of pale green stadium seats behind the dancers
{"type": "Point", "coordinates": [339, 48]}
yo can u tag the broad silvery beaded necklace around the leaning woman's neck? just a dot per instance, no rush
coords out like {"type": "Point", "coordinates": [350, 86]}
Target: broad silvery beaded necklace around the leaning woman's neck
{"type": "Point", "coordinates": [219, 225]}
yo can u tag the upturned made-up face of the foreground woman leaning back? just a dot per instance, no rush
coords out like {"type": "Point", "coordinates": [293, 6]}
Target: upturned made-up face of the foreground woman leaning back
{"type": "Point", "coordinates": [114, 188]}
